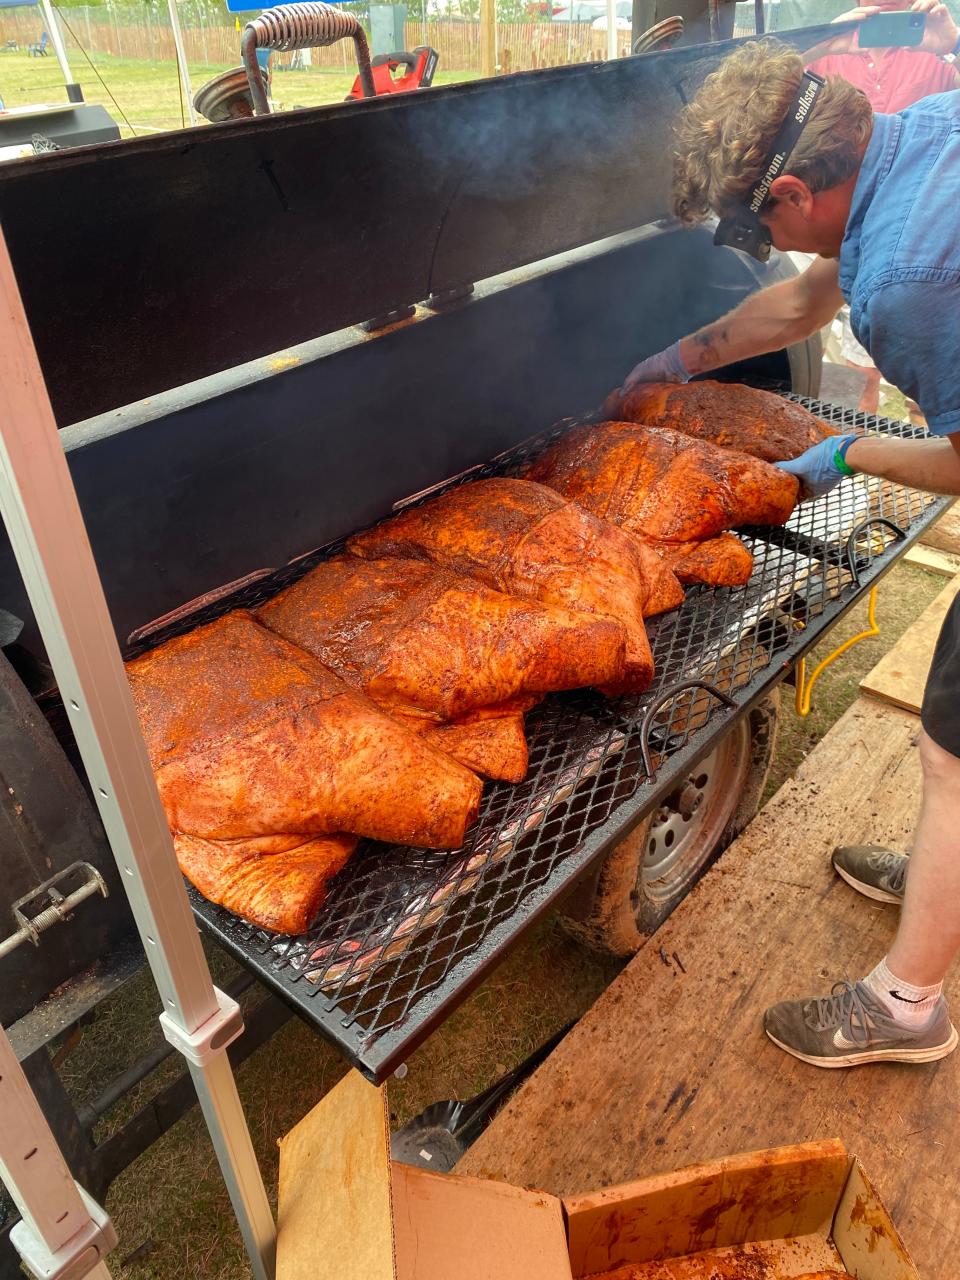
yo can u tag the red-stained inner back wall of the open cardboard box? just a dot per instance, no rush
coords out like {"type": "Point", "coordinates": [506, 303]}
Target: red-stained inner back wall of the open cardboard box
{"type": "Point", "coordinates": [760, 1196]}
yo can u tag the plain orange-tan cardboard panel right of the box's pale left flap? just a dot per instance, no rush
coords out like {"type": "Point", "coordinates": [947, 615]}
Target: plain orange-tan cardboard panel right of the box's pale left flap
{"type": "Point", "coordinates": [476, 1231]}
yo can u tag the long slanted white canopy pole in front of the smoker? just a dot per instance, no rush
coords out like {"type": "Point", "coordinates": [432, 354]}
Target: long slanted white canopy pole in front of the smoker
{"type": "Point", "coordinates": [40, 509]}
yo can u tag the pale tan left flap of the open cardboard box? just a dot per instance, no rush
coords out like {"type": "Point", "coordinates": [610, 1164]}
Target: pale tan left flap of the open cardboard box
{"type": "Point", "coordinates": [335, 1199]}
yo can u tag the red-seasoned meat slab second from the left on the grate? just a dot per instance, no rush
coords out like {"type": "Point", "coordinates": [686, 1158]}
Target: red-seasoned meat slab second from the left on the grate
{"type": "Point", "coordinates": [426, 644]}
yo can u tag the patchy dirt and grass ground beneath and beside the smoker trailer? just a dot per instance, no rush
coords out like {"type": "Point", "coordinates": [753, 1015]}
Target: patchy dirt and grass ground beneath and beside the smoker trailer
{"type": "Point", "coordinates": [171, 1208]}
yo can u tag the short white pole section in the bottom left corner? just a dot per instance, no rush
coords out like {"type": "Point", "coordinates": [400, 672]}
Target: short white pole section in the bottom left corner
{"type": "Point", "coordinates": [60, 1223]}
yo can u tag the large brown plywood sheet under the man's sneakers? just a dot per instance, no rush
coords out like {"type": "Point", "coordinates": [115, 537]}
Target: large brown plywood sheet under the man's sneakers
{"type": "Point", "coordinates": [671, 1066]}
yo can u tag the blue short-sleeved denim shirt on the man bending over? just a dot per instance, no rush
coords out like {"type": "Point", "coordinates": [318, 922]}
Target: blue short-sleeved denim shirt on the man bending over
{"type": "Point", "coordinates": [900, 258]}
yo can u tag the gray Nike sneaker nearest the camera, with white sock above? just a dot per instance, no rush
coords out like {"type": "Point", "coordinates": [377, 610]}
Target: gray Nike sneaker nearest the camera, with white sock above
{"type": "Point", "coordinates": [851, 1027]}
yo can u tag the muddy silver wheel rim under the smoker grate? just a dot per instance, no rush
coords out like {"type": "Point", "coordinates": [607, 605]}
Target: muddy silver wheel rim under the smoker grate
{"type": "Point", "coordinates": [689, 824]}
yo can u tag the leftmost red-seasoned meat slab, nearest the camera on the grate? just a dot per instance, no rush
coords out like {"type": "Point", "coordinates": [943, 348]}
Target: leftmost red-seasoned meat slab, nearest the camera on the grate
{"type": "Point", "coordinates": [258, 749]}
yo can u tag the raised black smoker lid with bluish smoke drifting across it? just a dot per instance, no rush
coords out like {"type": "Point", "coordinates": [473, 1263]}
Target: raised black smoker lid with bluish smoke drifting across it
{"type": "Point", "coordinates": [156, 262]}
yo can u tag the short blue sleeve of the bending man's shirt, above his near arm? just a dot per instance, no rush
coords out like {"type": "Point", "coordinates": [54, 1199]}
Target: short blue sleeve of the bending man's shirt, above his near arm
{"type": "Point", "coordinates": [909, 328]}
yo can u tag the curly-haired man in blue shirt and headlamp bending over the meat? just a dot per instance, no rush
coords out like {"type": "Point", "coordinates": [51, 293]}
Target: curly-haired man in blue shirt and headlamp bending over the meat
{"type": "Point", "coordinates": [788, 159]}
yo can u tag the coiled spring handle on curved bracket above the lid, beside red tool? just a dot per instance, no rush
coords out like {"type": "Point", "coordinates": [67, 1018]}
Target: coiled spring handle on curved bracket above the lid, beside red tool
{"type": "Point", "coordinates": [301, 26]}
